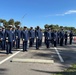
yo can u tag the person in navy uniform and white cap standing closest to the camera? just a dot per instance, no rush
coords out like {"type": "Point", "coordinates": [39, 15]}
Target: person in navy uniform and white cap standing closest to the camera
{"type": "Point", "coordinates": [9, 41]}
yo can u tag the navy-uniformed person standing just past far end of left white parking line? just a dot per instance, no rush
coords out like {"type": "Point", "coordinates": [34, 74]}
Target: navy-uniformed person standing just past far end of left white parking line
{"type": "Point", "coordinates": [25, 36]}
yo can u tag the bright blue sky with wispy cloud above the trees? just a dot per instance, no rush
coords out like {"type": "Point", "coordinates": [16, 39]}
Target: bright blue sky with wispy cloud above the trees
{"type": "Point", "coordinates": [39, 12]}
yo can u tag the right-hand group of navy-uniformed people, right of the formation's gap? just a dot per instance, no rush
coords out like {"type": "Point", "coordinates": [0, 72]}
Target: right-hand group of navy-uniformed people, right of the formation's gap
{"type": "Point", "coordinates": [57, 37]}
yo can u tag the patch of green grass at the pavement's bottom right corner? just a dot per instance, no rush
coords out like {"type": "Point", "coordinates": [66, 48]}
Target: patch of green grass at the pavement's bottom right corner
{"type": "Point", "coordinates": [69, 71]}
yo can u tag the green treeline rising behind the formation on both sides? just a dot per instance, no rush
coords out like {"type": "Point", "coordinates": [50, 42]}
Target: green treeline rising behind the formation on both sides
{"type": "Point", "coordinates": [16, 23]}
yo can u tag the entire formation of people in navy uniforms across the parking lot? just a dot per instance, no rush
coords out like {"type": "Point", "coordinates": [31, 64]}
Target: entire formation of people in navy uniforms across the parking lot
{"type": "Point", "coordinates": [11, 37]}
